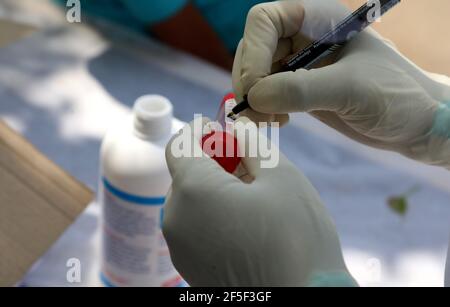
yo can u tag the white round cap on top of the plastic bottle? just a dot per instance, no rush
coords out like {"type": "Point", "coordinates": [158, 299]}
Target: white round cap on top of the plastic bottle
{"type": "Point", "coordinates": [152, 117]}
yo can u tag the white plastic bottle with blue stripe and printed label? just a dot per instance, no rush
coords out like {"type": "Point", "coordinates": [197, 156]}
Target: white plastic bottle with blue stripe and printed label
{"type": "Point", "coordinates": [134, 180]}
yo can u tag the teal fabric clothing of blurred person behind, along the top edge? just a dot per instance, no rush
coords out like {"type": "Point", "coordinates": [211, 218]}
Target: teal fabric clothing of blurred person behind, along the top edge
{"type": "Point", "coordinates": [226, 17]}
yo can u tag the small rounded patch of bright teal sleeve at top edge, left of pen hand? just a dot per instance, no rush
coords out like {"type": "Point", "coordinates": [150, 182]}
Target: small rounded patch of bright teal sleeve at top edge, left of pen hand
{"type": "Point", "coordinates": [153, 11]}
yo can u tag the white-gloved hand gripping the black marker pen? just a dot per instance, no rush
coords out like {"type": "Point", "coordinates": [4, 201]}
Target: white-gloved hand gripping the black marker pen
{"type": "Point", "coordinates": [370, 92]}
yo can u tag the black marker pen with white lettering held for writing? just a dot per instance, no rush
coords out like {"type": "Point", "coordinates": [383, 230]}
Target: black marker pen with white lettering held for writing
{"type": "Point", "coordinates": [330, 42]}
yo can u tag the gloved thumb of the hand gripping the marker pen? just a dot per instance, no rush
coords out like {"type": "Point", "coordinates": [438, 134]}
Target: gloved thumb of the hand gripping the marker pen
{"type": "Point", "coordinates": [322, 89]}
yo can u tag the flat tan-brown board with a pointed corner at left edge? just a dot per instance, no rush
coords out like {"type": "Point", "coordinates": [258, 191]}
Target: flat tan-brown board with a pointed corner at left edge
{"type": "Point", "coordinates": [38, 201]}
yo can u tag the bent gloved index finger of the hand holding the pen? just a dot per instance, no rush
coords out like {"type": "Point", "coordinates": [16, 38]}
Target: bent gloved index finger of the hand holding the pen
{"type": "Point", "coordinates": [267, 23]}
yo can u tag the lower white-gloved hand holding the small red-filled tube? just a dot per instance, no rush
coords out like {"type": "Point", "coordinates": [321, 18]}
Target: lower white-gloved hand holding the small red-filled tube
{"type": "Point", "coordinates": [271, 232]}
